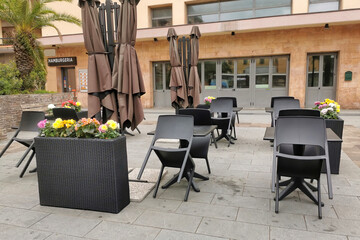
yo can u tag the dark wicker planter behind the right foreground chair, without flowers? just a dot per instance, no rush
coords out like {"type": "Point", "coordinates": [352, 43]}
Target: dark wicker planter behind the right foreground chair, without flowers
{"type": "Point", "coordinates": [337, 125]}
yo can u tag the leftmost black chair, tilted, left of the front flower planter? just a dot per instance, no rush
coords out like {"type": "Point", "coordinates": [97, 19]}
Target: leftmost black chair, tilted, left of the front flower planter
{"type": "Point", "coordinates": [25, 135]}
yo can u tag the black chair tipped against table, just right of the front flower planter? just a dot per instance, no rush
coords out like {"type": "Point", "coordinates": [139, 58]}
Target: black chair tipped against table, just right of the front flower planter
{"type": "Point", "coordinates": [179, 127]}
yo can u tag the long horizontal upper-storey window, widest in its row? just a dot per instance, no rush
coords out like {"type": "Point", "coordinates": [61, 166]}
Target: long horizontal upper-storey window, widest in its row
{"type": "Point", "coordinates": [236, 9]}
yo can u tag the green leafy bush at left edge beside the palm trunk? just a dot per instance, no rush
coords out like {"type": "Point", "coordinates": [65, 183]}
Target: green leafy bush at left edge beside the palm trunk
{"type": "Point", "coordinates": [10, 81]}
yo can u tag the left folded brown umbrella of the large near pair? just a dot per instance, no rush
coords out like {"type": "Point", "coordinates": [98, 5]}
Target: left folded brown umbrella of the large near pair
{"type": "Point", "coordinates": [99, 73]}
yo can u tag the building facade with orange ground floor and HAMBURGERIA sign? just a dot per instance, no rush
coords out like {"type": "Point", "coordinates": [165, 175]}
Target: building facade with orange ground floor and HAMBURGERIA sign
{"type": "Point", "coordinates": [250, 49]}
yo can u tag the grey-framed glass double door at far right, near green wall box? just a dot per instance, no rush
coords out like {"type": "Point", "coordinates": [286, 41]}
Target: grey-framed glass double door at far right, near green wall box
{"type": "Point", "coordinates": [321, 78]}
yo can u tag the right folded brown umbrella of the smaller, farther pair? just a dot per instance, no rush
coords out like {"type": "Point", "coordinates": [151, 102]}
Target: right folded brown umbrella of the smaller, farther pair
{"type": "Point", "coordinates": [194, 86]}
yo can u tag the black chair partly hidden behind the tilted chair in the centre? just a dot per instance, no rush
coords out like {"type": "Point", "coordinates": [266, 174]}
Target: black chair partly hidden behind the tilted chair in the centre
{"type": "Point", "coordinates": [200, 145]}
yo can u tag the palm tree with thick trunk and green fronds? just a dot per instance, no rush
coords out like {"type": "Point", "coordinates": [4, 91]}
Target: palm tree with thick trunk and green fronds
{"type": "Point", "coordinates": [28, 17]}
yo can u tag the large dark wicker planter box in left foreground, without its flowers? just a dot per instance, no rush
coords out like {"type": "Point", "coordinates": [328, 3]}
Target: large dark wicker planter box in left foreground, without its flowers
{"type": "Point", "coordinates": [87, 174]}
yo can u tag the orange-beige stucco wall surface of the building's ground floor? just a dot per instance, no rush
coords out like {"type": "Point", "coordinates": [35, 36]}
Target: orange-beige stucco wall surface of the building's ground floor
{"type": "Point", "coordinates": [296, 42]}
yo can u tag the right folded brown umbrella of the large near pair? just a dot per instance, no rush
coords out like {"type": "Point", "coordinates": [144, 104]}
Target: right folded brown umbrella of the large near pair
{"type": "Point", "coordinates": [127, 77]}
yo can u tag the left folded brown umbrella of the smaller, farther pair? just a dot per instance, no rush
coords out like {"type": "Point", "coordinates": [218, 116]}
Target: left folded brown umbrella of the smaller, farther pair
{"type": "Point", "coordinates": [177, 78]}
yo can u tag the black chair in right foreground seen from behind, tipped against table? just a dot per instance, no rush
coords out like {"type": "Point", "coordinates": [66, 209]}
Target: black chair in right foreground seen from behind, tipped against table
{"type": "Point", "coordinates": [300, 146]}
